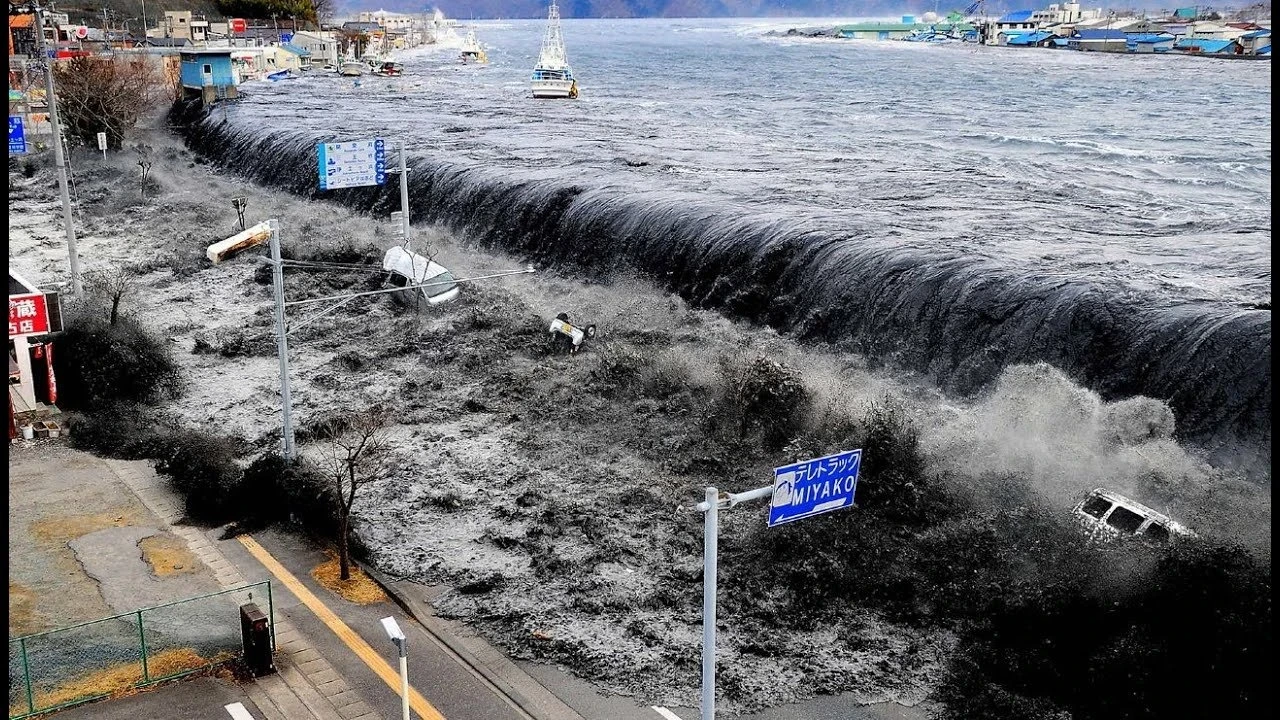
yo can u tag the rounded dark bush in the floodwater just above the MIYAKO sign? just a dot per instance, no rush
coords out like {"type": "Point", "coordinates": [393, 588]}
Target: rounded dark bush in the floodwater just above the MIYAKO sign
{"type": "Point", "coordinates": [764, 400]}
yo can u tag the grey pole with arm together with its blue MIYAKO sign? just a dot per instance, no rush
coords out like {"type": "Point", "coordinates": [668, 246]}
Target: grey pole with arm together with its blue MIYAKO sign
{"type": "Point", "coordinates": [799, 491]}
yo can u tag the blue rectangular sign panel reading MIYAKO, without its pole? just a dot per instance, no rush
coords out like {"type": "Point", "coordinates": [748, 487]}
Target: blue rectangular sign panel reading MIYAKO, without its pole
{"type": "Point", "coordinates": [813, 487]}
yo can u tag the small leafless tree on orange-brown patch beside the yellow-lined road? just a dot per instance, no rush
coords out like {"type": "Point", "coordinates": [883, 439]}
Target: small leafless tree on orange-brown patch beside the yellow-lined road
{"type": "Point", "coordinates": [358, 454]}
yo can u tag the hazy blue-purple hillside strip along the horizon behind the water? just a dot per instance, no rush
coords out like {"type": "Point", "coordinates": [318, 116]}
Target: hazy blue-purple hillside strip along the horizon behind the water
{"type": "Point", "coordinates": [483, 10]}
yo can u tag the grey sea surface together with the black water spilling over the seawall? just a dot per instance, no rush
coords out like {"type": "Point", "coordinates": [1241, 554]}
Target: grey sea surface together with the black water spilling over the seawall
{"type": "Point", "coordinates": [949, 209]}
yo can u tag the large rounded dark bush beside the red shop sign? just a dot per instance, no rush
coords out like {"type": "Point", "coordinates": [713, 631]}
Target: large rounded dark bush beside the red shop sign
{"type": "Point", "coordinates": [100, 364]}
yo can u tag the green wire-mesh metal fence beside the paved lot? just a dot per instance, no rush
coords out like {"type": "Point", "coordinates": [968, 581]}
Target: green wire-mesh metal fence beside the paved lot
{"type": "Point", "coordinates": [93, 660]}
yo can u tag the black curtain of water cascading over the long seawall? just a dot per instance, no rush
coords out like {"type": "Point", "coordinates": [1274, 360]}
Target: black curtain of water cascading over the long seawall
{"type": "Point", "coordinates": [959, 320]}
